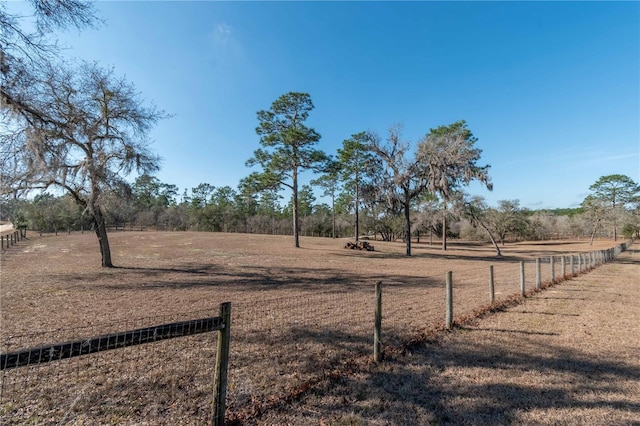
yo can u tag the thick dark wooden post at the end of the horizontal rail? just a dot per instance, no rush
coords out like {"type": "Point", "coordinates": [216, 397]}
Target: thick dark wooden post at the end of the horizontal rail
{"type": "Point", "coordinates": [222, 367]}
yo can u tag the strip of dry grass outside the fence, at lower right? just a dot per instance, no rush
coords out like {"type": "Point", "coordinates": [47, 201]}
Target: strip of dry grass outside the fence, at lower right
{"type": "Point", "coordinates": [568, 355]}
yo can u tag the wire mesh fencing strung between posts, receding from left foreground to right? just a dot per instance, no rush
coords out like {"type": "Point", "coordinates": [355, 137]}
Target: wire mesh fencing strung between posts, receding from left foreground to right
{"type": "Point", "coordinates": [281, 347]}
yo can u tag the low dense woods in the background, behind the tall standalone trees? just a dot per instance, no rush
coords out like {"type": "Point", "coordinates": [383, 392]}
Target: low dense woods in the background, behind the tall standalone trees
{"type": "Point", "coordinates": [154, 205]}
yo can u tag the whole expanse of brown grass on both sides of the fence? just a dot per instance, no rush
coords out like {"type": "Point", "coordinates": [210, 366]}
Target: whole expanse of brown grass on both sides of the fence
{"type": "Point", "coordinates": [302, 325]}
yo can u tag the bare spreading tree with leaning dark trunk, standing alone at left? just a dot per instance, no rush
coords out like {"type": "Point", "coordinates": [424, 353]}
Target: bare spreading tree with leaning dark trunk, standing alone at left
{"type": "Point", "coordinates": [92, 132]}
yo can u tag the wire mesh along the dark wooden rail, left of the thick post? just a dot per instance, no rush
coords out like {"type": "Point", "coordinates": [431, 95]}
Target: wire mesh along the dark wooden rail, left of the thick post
{"type": "Point", "coordinates": [166, 382]}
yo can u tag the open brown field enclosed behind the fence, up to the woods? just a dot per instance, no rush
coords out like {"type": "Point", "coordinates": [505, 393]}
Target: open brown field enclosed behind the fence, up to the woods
{"type": "Point", "coordinates": [302, 318]}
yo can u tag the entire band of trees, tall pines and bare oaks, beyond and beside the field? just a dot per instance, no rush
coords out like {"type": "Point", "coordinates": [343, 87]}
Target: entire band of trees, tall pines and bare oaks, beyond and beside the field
{"type": "Point", "coordinates": [74, 134]}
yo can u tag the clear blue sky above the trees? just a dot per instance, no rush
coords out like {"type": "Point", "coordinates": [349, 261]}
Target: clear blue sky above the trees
{"type": "Point", "coordinates": [551, 89]}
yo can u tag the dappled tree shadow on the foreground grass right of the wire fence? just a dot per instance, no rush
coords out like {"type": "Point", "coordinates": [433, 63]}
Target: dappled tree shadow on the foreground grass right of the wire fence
{"type": "Point", "coordinates": [436, 385]}
